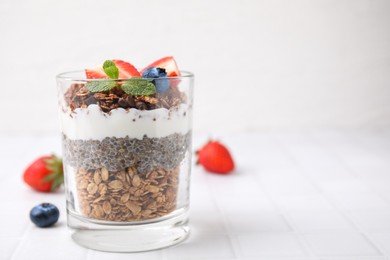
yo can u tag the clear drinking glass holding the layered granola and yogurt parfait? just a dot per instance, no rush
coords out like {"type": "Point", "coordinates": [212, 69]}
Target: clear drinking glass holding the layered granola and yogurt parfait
{"type": "Point", "coordinates": [127, 162]}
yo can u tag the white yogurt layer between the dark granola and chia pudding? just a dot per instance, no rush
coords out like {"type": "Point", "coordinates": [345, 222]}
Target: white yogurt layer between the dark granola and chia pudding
{"type": "Point", "coordinates": [91, 123]}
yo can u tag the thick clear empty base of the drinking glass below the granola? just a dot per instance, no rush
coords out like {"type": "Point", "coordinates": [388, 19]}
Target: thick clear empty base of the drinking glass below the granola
{"type": "Point", "coordinates": [129, 237]}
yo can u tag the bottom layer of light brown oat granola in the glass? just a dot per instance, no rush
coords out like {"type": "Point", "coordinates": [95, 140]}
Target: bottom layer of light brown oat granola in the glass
{"type": "Point", "coordinates": [127, 195]}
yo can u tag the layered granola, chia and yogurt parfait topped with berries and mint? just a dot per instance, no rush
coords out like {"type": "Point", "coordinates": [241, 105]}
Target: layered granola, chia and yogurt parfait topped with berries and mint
{"type": "Point", "coordinates": [126, 135]}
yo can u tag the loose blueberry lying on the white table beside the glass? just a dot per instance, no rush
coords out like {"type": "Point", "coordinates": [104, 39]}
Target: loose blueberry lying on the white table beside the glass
{"type": "Point", "coordinates": [44, 215]}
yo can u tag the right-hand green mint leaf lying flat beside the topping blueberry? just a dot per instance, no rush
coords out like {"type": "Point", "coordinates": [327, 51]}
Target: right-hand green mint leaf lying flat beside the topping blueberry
{"type": "Point", "coordinates": [139, 87]}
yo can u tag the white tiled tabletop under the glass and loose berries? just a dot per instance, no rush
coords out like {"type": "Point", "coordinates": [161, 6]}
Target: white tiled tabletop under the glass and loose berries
{"type": "Point", "coordinates": [297, 196]}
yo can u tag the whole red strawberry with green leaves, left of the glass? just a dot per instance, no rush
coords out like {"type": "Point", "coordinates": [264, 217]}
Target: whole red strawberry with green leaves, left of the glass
{"type": "Point", "coordinates": [45, 173]}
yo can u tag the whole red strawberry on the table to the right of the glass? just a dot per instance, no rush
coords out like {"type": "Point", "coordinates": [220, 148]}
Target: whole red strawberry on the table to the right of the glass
{"type": "Point", "coordinates": [215, 157]}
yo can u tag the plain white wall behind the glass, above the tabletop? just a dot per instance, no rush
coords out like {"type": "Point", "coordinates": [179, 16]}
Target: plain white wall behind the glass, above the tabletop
{"type": "Point", "coordinates": [258, 64]}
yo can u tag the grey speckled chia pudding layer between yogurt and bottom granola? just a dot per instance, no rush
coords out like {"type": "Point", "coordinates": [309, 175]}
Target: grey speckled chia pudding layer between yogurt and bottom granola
{"type": "Point", "coordinates": [115, 154]}
